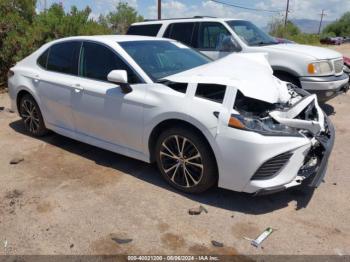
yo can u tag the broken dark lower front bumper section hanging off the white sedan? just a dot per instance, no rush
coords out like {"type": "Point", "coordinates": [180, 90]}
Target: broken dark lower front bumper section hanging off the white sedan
{"type": "Point", "coordinates": [311, 177]}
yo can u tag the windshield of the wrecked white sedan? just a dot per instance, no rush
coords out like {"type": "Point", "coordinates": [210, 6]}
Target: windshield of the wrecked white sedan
{"type": "Point", "coordinates": [163, 58]}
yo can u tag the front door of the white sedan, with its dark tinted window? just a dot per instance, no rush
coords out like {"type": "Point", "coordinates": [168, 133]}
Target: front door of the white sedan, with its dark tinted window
{"type": "Point", "coordinates": [100, 108]}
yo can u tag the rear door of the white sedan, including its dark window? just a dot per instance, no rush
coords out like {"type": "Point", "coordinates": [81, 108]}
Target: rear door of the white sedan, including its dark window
{"type": "Point", "coordinates": [59, 69]}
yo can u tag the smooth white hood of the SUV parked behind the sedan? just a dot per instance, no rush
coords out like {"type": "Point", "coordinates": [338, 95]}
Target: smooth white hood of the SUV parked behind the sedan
{"type": "Point", "coordinates": [315, 52]}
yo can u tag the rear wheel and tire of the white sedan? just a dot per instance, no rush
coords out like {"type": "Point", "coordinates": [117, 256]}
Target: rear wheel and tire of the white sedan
{"type": "Point", "coordinates": [31, 116]}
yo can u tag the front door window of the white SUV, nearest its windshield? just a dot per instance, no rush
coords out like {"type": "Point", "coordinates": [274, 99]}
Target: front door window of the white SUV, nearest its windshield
{"type": "Point", "coordinates": [211, 34]}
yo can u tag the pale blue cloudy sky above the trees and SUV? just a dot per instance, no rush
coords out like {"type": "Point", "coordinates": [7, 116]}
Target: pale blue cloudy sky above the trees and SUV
{"type": "Point", "coordinates": [309, 9]}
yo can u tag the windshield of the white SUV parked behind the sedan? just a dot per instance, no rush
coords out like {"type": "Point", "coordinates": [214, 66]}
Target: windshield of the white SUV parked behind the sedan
{"type": "Point", "coordinates": [251, 34]}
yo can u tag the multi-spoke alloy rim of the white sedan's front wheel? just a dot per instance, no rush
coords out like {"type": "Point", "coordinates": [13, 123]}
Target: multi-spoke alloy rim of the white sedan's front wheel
{"type": "Point", "coordinates": [181, 161]}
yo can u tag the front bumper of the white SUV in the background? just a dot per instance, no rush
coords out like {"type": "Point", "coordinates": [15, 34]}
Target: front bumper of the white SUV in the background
{"type": "Point", "coordinates": [326, 87]}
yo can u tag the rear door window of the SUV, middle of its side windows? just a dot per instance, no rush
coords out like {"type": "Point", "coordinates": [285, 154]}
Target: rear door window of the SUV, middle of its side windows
{"type": "Point", "coordinates": [181, 32]}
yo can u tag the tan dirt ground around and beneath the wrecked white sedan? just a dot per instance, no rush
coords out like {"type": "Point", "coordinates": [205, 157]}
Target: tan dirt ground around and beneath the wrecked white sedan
{"type": "Point", "coordinates": [67, 197]}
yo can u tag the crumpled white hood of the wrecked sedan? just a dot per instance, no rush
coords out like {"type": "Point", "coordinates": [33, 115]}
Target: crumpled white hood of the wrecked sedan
{"type": "Point", "coordinates": [249, 73]}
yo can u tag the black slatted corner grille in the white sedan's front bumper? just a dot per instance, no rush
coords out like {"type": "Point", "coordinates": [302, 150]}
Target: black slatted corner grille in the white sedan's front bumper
{"type": "Point", "coordinates": [272, 166]}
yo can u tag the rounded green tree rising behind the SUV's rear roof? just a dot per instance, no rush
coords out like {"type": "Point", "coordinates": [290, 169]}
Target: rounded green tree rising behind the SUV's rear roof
{"type": "Point", "coordinates": [120, 19]}
